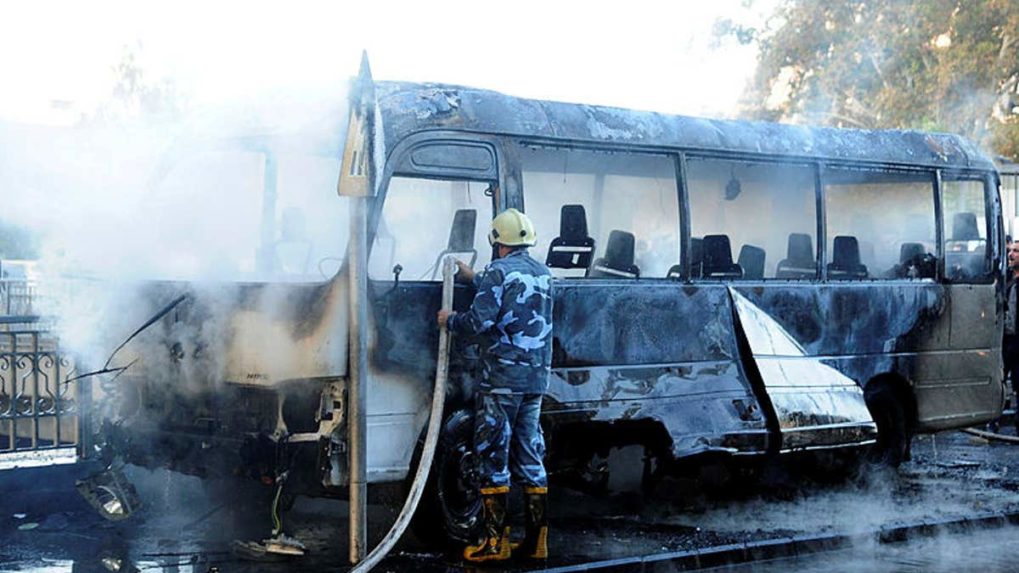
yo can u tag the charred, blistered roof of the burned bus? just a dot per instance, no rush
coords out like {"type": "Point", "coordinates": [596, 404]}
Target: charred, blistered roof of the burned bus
{"type": "Point", "coordinates": [408, 109]}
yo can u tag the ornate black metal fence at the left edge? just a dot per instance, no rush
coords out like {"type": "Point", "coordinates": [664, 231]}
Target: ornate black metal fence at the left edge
{"type": "Point", "coordinates": [39, 409]}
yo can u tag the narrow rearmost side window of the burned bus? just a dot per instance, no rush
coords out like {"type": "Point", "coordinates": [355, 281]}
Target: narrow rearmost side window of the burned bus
{"type": "Point", "coordinates": [964, 204]}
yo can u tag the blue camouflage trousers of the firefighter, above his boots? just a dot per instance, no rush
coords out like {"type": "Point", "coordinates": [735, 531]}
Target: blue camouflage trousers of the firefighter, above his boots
{"type": "Point", "coordinates": [508, 440]}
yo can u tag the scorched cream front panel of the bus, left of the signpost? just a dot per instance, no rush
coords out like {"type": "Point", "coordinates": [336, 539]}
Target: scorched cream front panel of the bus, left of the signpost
{"type": "Point", "coordinates": [257, 335]}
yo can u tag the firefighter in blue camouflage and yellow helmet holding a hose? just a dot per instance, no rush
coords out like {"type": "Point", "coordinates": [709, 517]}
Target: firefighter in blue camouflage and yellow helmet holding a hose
{"type": "Point", "coordinates": [513, 315]}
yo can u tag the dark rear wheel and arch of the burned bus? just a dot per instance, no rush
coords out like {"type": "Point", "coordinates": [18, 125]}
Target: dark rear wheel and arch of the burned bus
{"type": "Point", "coordinates": [893, 406]}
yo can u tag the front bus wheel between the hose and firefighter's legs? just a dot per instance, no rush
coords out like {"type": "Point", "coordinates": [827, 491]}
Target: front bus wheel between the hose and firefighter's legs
{"type": "Point", "coordinates": [451, 507]}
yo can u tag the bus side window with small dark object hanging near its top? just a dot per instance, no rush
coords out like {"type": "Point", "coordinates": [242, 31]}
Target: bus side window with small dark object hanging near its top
{"type": "Point", "coordinates": [752, 221]}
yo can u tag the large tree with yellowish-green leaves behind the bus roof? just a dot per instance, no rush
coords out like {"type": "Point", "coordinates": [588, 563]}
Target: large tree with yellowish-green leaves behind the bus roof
{"type": "Point", "coordinates": [949, 66]}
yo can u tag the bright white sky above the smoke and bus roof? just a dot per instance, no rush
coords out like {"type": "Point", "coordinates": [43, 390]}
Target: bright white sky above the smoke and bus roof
{"type": "Point", "coordinates": [641, 55]}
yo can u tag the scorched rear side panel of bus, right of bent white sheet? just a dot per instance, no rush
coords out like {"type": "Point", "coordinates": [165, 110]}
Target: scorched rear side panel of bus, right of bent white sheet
{"type": "Point", "coordinates": [865, 330]}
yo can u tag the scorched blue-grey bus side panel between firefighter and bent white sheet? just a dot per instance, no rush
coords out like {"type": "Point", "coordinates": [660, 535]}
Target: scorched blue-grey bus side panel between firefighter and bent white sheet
{"type": "Point", "coordinates": [661, 352]}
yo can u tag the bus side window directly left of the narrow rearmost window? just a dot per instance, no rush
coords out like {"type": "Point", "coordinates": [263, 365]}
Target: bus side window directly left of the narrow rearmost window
{"type": "Point", "coordinates": [881, 225]}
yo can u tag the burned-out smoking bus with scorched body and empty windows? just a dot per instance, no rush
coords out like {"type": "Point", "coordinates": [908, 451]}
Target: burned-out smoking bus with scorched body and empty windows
{"type": "Point", "coordinates": [722, 289]}
